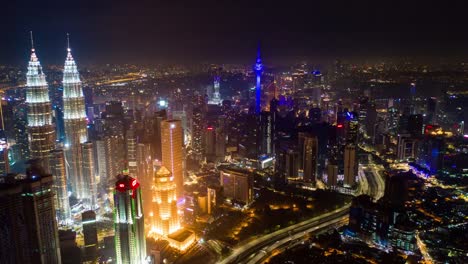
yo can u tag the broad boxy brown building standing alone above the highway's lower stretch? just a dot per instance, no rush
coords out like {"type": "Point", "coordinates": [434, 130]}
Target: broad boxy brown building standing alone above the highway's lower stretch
{"type": "Point", "coordinates": [237, 184]}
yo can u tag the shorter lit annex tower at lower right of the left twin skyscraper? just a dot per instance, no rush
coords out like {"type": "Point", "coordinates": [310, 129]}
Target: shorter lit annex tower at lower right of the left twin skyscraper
{"type": "Point", "coordinates": [57, 169]}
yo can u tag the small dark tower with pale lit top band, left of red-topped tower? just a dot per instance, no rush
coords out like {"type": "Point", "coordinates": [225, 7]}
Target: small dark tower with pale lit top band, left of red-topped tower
{"type": "Point", "coordinates": [88, 220]}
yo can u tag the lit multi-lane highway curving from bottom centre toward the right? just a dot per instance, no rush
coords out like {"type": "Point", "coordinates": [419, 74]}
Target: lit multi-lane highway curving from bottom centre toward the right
{"type": "Point", "coordinates": [256, 251]}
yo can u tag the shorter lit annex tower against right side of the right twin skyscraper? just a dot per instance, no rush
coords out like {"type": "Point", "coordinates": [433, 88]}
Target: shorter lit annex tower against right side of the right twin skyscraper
{"type": "Point", "coordinates": [89, 191]}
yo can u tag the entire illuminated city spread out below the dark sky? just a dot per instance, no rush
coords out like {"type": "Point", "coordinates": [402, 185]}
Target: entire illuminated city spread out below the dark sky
{"type": "Point", "coordinates": [331, 161]}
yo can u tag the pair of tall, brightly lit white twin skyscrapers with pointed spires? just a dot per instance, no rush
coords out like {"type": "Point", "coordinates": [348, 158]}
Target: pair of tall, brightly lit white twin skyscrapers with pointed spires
{"type": "Point", "coordinates": [79, 160]}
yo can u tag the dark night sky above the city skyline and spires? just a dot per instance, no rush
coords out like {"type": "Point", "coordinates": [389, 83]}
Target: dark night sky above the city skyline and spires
{"type": "Point", "coordinates": [228, 31]}
